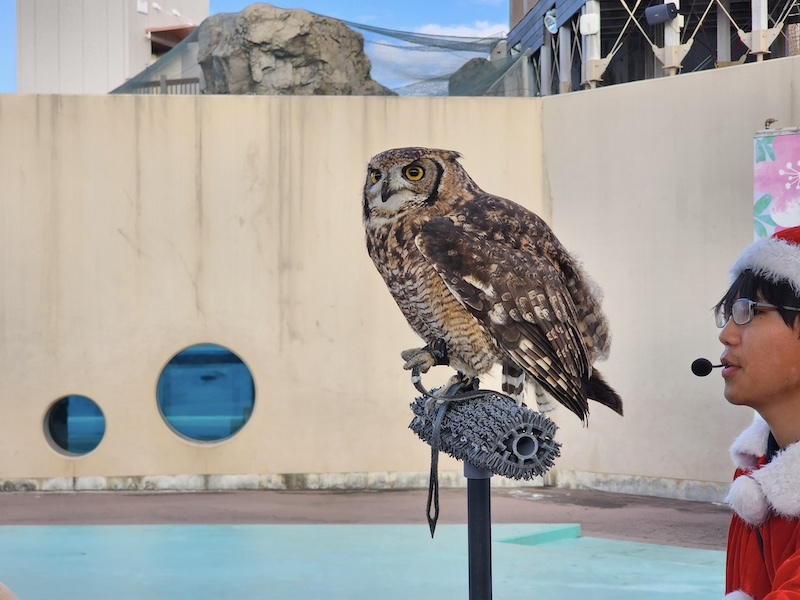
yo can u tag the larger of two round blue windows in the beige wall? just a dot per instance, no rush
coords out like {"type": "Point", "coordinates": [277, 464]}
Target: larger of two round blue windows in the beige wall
{"type": "Point", "coordinates": [206, 393]}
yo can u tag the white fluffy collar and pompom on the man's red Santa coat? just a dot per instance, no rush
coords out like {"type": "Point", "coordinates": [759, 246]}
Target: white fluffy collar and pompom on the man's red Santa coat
{"type": "Point", "coordinates": [773, 487]}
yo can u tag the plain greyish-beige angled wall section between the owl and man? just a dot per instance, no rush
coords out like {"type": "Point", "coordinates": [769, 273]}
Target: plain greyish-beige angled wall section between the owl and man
{"type": "Point", "coordinates": [651, 183]}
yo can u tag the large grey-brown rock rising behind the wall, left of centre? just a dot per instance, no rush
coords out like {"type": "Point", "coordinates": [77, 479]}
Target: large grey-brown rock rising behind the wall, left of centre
{"type": "Point", "coordinates": [268, 50]}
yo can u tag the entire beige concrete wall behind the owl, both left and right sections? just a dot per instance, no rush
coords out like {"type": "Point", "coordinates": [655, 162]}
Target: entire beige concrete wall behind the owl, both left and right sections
{"type": "Point", "coordinates": [134, 227]}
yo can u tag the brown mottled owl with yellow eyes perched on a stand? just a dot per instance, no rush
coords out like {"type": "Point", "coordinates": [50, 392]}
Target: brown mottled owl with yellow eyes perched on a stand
{"type": "Point", "coordinates": [486, 276]}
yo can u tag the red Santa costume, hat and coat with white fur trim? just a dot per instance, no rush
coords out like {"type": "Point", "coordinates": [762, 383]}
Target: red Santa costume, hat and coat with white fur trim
{"type": "Point", "coordinates": [763, 559]}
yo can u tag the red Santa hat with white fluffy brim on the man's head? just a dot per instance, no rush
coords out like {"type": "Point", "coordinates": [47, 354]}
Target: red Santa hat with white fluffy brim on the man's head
{"type": "Point", "coordinates": [776, 259]}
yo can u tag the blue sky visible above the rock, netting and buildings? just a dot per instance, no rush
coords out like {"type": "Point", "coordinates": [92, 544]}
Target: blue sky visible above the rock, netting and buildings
{"type": "Point", "coordinates": [444, 17]}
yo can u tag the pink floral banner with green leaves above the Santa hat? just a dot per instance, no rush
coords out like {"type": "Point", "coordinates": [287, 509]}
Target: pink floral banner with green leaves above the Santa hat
{"type": "Point", "coordinates": [776, 181]}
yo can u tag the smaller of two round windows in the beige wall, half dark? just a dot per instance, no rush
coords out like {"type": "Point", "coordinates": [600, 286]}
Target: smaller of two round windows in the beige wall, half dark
{"type": "Point", "coordinates": [74, 425]}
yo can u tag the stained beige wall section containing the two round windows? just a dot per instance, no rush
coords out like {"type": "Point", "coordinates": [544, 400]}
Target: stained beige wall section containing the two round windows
{"type": "Point", "coordinates": [134, 227]}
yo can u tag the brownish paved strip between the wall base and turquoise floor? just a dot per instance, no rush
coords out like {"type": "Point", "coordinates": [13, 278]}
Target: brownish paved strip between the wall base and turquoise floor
{"type": "Point", "coordinates": [611, 516]}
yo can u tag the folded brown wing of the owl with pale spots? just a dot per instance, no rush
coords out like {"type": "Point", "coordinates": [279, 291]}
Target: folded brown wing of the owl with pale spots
{"type": "Point", "coordinates": [519, 297]}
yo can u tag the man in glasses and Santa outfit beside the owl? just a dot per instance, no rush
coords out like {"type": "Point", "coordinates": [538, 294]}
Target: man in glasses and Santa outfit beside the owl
{"type": "Point", "coordinates": [760, 321]}
